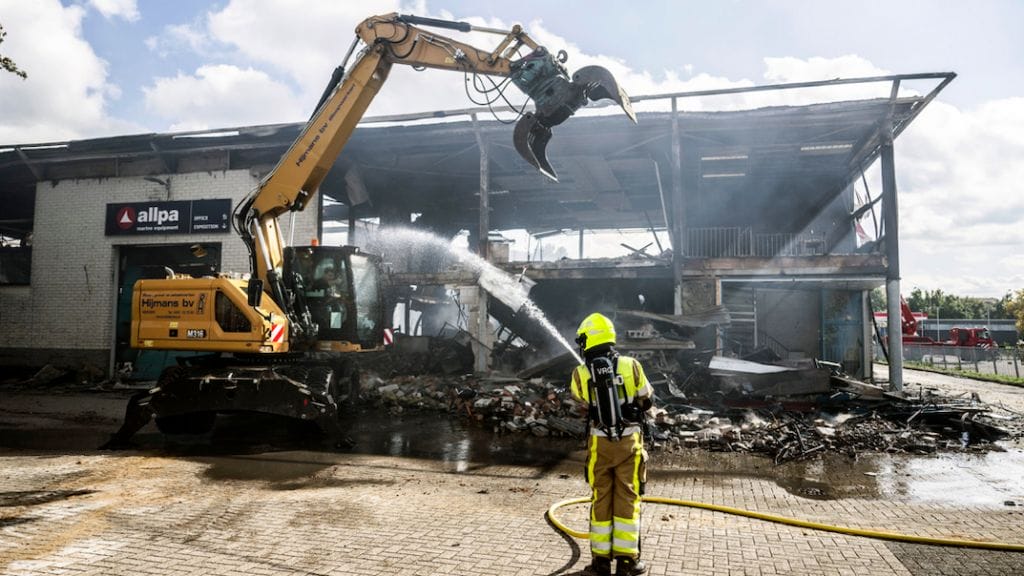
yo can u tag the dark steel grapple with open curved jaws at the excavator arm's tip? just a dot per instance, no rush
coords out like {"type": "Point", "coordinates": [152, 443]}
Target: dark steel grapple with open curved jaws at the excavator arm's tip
{"type": "Point", "coordinates": [545, 80]}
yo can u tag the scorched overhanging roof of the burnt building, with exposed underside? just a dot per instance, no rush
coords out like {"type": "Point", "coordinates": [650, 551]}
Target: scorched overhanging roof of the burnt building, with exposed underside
{"type": "Point", "coordinates": [783, 163]}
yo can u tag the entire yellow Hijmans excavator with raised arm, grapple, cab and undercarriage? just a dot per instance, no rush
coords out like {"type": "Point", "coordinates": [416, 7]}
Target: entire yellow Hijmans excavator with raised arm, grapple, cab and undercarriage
{"type": "Point", "coordinates": [282, 341]}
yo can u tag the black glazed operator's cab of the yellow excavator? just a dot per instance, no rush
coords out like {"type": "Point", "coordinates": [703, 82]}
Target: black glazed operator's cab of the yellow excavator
{"type": "Point", "coordinates": [340, 289]}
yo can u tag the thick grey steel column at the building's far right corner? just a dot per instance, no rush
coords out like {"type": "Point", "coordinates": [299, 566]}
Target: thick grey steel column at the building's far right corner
{"type": "Point", "coordinates": [890, 215]}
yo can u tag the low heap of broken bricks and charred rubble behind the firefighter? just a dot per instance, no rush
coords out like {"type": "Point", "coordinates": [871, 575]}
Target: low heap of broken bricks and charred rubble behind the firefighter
{"type": "Point", "coordinates": [784, 429]}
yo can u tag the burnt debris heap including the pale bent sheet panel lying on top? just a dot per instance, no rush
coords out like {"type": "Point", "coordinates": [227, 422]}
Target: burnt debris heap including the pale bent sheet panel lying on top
{"type": "Point", "coordinates": [786, 414]}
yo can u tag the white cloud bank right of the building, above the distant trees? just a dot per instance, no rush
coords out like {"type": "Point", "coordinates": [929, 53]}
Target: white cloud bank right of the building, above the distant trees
{"type": "Point", "coordinates": [962, 198]}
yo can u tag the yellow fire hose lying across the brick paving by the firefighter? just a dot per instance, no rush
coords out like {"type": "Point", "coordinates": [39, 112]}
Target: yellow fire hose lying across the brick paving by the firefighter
{"type": "Point", "coordinates": [791, 522]}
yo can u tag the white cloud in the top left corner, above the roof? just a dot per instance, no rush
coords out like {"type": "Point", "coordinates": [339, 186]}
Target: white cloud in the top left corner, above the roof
{"type": "Point", "coordinates": [68, 90]}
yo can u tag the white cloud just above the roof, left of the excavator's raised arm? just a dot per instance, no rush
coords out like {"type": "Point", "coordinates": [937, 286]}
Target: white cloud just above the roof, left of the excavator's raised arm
{"type": "Point", "coordinates": [222, 96]}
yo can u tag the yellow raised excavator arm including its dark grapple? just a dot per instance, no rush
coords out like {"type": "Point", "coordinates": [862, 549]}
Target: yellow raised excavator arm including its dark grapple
{"type": "Point", "coordinates": [394, 39]}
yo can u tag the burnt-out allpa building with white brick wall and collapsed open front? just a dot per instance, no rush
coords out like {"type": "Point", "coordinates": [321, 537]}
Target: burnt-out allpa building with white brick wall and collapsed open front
{"type": "Point", "coordinates": [756, 208]}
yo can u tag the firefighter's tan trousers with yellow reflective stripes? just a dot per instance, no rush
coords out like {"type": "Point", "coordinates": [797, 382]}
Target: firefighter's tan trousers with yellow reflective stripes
{"type": "Point", "coordinates": [616, 471]}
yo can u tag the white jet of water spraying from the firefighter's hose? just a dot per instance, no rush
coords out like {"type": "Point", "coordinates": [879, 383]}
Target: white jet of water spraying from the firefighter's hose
{"type": "Point", "coordinates": [418, 249]}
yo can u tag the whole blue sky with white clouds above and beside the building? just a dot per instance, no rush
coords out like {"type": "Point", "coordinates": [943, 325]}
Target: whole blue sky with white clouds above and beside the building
{"type": "Point", "coordinates": [100, 68]}
